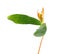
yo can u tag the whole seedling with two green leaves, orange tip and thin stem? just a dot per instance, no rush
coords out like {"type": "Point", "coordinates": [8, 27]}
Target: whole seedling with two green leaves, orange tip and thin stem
{"type": "Point", "coordinates": [25, 19]}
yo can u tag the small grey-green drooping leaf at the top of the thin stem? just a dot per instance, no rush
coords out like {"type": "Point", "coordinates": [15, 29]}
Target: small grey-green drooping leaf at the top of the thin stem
{"type": "Point", "coordinates": [41, 31]}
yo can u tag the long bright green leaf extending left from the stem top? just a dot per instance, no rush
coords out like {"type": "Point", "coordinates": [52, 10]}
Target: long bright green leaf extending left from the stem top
{"type": "Point", "coordinates": [23, 19]}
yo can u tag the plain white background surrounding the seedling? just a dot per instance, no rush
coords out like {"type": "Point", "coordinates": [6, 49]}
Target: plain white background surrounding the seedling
{"type": "Point", "coordinates": [19, 39]}
